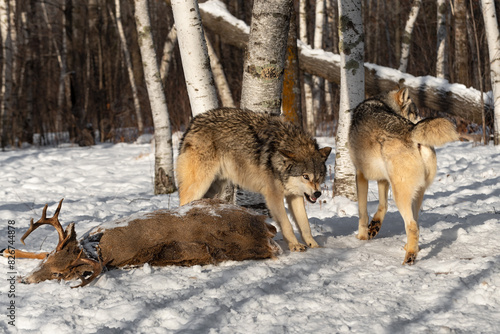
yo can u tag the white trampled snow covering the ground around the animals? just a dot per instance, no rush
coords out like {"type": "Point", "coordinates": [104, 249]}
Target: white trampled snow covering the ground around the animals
{"type": "Point", "coordinates": [348, 286]}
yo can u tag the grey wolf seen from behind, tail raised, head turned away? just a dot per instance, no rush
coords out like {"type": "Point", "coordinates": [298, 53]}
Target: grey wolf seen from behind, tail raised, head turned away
{"type": "Point", "coordinates": [386, 146]}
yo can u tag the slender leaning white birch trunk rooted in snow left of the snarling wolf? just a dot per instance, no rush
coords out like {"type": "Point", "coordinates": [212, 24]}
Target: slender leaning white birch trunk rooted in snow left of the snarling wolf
{"type": "Point", "coordinates": [164, 162]}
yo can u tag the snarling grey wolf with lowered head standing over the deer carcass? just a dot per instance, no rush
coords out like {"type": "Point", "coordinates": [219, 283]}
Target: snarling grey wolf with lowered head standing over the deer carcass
{"type": "Point", "coordinates": [260, 153]}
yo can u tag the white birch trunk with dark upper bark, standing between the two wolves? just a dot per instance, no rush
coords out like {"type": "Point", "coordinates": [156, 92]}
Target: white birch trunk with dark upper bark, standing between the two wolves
{"type": "Point", "coordinates": [352, 91]}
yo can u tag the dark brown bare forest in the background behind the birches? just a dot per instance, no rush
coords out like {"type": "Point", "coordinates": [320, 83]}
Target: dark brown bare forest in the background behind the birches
{"type": "Point", "coordinates": [69, 78]}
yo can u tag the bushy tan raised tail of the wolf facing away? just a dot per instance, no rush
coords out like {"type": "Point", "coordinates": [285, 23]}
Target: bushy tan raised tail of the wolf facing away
{"type": "Point", "coordinates": [434, 132]}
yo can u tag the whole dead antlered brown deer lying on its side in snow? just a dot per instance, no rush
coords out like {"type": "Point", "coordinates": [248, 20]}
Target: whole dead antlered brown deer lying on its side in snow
{"type": "Point", "coordinates": [202, 232]}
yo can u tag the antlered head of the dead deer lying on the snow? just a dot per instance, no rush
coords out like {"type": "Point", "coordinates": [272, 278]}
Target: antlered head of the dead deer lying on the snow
{"type": "Point", "coordinates": [67, 261]}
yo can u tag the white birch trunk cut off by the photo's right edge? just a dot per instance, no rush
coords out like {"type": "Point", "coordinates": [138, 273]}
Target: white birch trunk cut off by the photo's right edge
{"type": "Point", "coordinates": [493, 36]}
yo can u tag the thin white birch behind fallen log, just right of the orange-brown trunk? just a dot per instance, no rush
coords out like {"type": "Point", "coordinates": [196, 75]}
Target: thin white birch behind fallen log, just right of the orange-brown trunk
{"type": "Point", "coordinates": [308, 97]}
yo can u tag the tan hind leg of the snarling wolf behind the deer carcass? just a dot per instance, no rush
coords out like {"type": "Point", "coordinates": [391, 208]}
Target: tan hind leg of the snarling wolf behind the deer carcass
{"type": "Point", "coordinates": [195, 176]}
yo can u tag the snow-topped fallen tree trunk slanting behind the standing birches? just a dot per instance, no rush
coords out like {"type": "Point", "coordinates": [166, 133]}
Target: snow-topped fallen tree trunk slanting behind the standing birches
{"type": "Point", "coordinates": [426, 92]}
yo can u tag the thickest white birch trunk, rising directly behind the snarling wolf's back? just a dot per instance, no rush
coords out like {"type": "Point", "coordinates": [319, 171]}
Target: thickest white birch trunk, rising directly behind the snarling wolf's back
{"type": "Point", "coordinates": [265, 61]}
